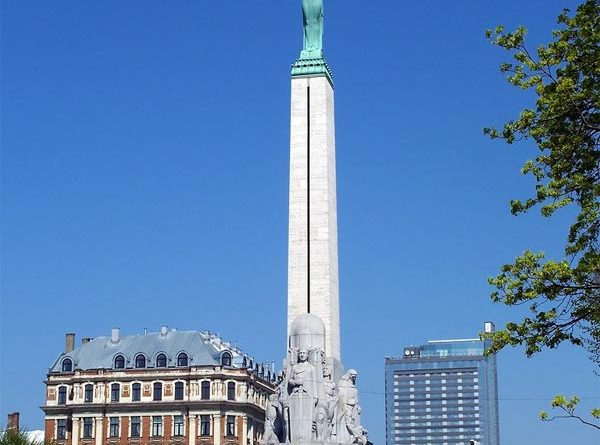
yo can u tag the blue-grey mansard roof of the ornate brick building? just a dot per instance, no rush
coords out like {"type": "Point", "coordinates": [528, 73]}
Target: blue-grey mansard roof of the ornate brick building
{"type": "Point", "coordinates": [202, 348]}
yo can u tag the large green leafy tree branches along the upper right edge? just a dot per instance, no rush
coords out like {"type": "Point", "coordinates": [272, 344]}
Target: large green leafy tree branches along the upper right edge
{"type": "Point", "coordinates": [563, 294]}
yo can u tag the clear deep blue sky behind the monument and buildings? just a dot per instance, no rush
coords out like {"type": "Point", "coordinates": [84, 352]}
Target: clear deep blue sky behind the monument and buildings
{"type": "Point", "coordinates": [145, 173]}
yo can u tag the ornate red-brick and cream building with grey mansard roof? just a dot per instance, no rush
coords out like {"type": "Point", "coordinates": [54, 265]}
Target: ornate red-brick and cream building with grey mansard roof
{"type": "Point", "coordinates": [167, 387]}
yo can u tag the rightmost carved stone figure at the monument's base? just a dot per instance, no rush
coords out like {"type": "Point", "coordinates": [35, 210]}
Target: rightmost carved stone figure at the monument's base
{"type": "Point", "coordinates": [349, 429]}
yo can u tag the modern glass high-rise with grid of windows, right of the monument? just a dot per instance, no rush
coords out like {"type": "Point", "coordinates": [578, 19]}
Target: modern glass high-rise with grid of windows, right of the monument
{"type": "Point", "coordinates": [442, 393]}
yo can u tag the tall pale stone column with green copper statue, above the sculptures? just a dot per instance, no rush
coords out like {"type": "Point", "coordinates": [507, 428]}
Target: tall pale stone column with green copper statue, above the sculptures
{"type": "Point", "coordinates": [313, 250]}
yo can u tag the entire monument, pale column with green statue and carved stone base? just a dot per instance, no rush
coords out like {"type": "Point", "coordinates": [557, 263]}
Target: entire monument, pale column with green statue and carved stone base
{"type": "Point", "coordinates": [315, 401]}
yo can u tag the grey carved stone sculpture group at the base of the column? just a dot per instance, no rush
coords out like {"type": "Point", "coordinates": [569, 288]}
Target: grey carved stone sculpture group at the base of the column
{"type": "Point", "coordinates": [308, 405]}
